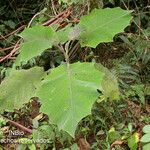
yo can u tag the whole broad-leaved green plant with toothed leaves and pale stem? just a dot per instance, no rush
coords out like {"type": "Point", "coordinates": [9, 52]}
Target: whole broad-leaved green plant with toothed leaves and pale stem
{"type": "Point", "coordinates": [69, 91]}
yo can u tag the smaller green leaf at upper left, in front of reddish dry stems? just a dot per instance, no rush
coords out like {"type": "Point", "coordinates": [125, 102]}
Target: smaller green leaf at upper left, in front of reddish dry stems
{"type": "Point", "coordinates": [36, 40]}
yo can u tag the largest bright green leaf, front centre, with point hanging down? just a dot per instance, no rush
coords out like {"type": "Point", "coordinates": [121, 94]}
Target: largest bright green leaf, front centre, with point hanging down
{"type": "Point", "coordinates": [68, 93]}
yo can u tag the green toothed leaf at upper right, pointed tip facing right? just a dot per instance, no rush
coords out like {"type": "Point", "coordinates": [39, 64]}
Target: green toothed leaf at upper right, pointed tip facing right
{"type": "Point", "coordinates": [101, 25]}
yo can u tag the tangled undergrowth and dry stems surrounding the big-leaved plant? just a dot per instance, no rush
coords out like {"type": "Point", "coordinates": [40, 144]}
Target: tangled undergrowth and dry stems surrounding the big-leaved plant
{"type": "Point", "coordinates": [113, 124]}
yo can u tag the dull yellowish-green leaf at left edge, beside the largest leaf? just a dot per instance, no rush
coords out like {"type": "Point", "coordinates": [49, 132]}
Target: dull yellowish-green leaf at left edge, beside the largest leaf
{"type": "Point", "coordinates": [19, 87]}
